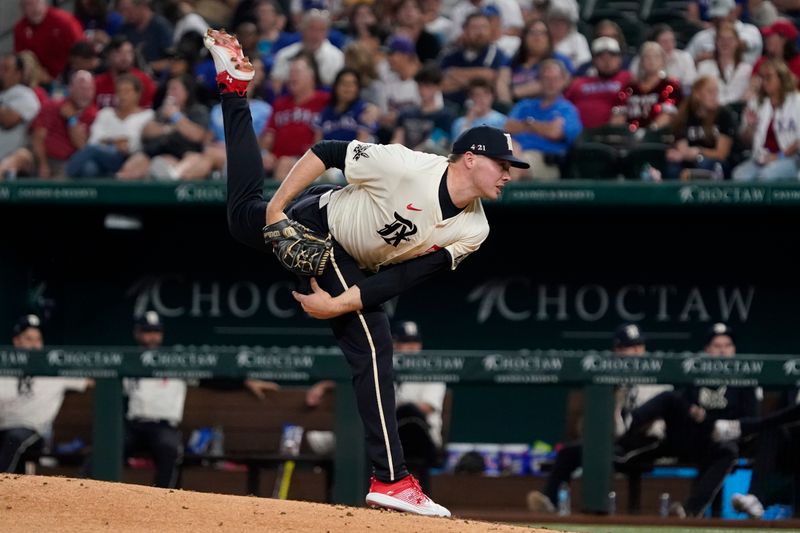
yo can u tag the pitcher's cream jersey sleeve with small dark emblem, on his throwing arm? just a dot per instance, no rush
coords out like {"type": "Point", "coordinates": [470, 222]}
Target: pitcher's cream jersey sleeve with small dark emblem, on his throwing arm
{"type": "Point", "coordinates": [372, 163]}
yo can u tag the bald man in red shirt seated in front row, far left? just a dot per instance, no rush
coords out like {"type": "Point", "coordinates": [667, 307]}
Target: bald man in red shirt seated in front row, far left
{"type": "Point", "coordinates": [58, 131]}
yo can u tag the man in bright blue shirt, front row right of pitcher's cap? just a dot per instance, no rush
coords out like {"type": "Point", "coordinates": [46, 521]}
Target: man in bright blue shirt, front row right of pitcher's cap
{"type": "Point", "coordinates": [545, 127]}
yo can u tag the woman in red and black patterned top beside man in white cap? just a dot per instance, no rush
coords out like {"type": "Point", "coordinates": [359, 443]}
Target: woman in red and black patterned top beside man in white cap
{"type": "Point", "coordinates": [652, 99]}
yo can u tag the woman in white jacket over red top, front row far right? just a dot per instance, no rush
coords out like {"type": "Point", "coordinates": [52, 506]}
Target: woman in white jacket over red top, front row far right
{"type": "Point", "coordinates": [771, 120]}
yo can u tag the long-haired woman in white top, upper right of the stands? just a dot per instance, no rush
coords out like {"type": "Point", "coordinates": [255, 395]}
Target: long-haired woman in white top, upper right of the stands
{"type": "Point", "coordinates": [727, 65]}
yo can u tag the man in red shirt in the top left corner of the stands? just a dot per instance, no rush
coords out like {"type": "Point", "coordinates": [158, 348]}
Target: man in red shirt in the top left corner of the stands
{"type": "Point", "coordinates": [48, 32]}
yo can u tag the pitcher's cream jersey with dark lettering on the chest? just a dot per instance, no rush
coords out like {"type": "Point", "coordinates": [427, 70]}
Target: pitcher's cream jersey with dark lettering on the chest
{"type": "Point", "coordinates": [389, 212]}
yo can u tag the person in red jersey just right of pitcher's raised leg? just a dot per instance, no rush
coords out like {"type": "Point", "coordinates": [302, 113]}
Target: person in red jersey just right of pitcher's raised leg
{"type": "Point", "coordinates": [290, 131]}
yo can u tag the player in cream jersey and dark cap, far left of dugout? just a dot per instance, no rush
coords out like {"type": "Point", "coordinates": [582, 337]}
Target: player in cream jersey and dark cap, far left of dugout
{"type": "Point", "coordinates": [29, 405]}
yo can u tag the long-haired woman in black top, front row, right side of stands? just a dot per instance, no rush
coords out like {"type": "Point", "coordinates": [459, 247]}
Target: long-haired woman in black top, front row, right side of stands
{"type": "Point", "coordinates": [704, 133]}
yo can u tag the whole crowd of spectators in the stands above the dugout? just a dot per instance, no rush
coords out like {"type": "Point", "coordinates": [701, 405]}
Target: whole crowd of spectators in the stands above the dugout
{"type": "Point", "coordinates": [124, 89]}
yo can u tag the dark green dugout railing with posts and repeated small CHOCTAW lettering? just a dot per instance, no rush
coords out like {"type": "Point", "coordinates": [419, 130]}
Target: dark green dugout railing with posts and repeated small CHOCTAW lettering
{"type": "Point", "coordinates": [597, 372]}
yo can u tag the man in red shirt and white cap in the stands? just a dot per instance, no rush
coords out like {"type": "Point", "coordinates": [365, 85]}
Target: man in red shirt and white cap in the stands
{"type": "Point", "coordinates": [596, 96]}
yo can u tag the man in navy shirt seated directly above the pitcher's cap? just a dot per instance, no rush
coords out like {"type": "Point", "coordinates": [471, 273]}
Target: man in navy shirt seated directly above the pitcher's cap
{"type": "Point", "coordinates": [477, 57]}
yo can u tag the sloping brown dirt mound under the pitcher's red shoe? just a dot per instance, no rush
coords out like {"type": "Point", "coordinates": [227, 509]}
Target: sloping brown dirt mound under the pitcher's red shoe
{"type": "Point", "coordinates": [38, 503]}
